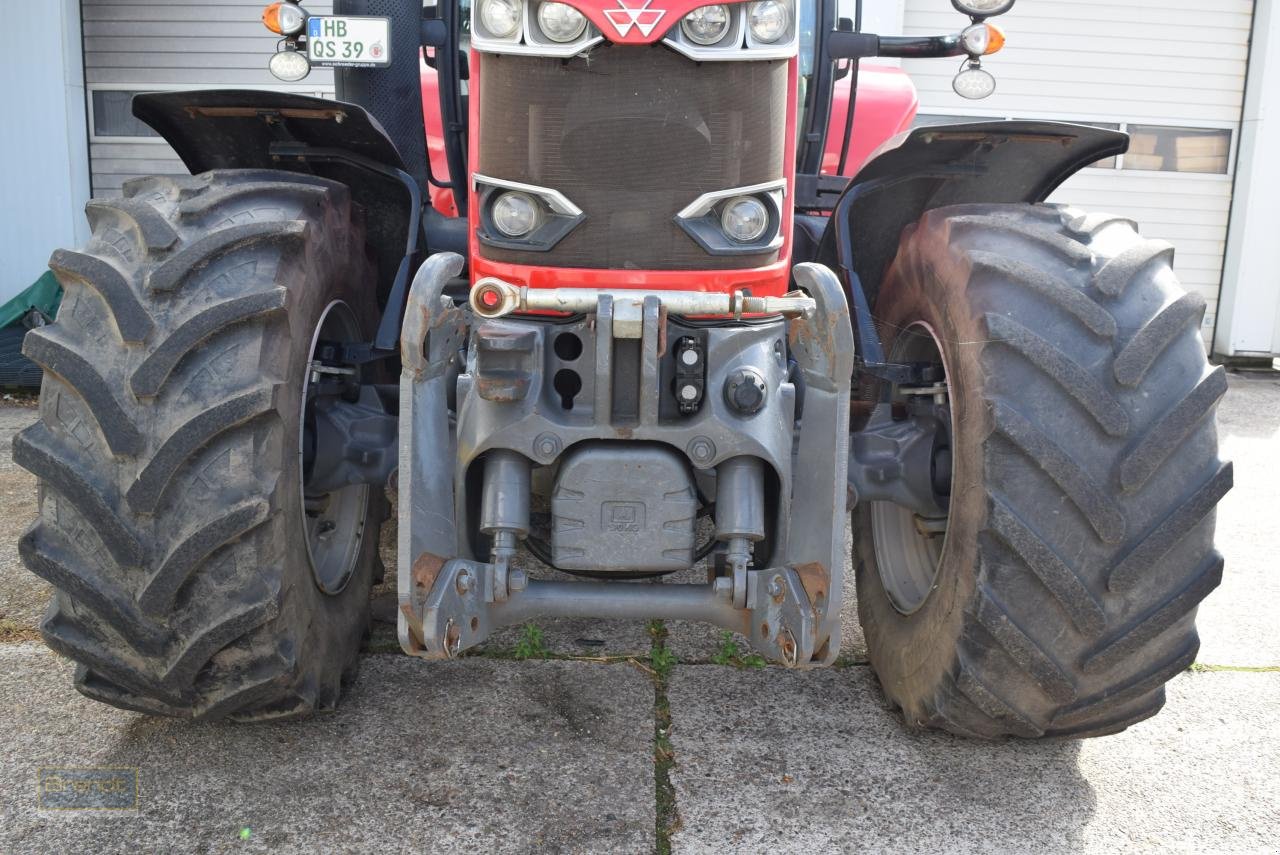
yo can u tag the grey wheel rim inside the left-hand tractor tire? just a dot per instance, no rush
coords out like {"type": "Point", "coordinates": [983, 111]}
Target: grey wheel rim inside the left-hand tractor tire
{"type": "Point", "coordinates": [335, 522]}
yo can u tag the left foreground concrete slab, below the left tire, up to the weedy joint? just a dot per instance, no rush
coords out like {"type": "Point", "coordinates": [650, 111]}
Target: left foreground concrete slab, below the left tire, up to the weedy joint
{"type": "Point", "coordinates": [468, 757]}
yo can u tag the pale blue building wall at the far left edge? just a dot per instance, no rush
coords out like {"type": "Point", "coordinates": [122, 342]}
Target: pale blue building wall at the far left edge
{"type": "Point", "coordinates": [45, 180]}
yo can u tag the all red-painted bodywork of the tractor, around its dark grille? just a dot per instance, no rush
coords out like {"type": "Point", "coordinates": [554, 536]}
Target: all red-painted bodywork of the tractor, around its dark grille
{"type": "Point", "coordinates": [886, 107]}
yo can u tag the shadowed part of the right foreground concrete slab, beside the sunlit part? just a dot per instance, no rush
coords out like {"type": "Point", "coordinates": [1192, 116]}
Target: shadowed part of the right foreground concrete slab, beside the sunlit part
{"type": "Point", "coordinates": [817, 762]}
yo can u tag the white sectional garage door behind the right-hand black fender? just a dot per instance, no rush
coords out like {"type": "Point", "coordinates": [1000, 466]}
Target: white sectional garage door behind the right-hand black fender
{"type": "Point", "coordinates": [1169, 72]}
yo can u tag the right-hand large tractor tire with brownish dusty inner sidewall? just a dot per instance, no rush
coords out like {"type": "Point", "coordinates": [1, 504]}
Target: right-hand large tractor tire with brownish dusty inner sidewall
{"type": "Point", "coordinates": [1086, 473]}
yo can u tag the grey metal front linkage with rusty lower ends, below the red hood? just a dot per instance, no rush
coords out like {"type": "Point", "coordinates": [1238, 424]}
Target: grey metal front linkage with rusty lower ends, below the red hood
{"type": "Point", "coordinates": [584, 397]}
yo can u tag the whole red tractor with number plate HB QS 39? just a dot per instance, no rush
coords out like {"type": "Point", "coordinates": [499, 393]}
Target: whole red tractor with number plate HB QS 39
{"type": "Point", "coordinates": [669, 324]}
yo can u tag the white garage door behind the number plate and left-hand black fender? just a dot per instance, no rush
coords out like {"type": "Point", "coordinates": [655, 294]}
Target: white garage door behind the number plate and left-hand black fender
{"type": "Point", "coordinates": [147, 45]}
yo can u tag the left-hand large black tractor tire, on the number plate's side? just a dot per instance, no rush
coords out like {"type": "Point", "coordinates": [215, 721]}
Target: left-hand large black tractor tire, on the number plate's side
{"type": "Point", "coordinates": [172, 522]}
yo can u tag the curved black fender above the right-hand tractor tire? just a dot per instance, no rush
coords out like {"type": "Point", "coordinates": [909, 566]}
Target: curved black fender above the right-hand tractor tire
{"type": "Point", "coordinates": [935, 167]}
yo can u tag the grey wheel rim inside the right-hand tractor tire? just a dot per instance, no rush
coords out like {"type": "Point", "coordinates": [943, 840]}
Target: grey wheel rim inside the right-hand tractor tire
{"type": "Point", "coordinates": [908, 548]}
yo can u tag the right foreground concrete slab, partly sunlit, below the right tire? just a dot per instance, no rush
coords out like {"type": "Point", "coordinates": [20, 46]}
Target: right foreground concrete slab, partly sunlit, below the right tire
{"type": "Point", "coordinates": [810, 763]}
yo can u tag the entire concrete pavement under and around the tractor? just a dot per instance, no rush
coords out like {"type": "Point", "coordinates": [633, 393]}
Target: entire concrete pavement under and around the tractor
{"type": "Point", "coordinates": [488, 755]}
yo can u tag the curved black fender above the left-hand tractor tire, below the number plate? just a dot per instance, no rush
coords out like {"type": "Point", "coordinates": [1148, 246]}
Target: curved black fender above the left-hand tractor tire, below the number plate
{"type": "Point", "coordinates": [236, 130]}
